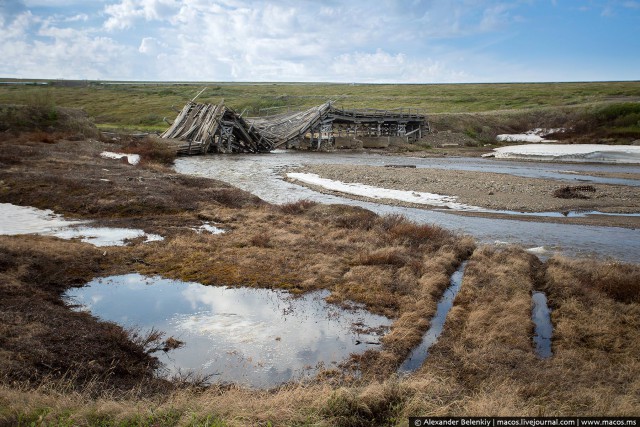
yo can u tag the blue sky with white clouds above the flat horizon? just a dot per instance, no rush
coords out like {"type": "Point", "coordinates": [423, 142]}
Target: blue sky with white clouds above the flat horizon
{"type": "Point", "coordinates": [351, 41]}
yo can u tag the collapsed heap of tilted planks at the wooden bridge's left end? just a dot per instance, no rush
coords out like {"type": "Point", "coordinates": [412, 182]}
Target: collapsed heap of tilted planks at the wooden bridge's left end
{"type": "Point", "coordinates": [208, 128]}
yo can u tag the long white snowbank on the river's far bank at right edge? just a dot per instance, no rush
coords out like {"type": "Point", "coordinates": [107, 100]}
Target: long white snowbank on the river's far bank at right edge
{"type": "Point", "coordinates": [596, 153]}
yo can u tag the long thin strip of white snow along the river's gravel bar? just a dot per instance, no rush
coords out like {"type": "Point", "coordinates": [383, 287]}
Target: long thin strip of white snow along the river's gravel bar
{"type": "Point", "coordinates": [383, 193]}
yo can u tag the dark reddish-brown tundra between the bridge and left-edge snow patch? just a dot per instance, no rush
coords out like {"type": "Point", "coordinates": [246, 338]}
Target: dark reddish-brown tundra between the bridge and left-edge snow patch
{"type": "Point", "coordinates": [71, 178]}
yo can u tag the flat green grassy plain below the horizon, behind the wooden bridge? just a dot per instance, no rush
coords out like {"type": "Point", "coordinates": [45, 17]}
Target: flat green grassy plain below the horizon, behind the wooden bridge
{"type": "Point", "coordinates": [143, 106]}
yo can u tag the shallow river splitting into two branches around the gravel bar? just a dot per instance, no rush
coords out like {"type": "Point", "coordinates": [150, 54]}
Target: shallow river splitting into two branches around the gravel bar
{"type": "Point", "coordinates": [261, 175]}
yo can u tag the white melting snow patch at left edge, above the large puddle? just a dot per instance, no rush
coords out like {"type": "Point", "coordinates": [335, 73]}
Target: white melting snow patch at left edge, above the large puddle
{"type": "Point", "coordinates": [28, 220]}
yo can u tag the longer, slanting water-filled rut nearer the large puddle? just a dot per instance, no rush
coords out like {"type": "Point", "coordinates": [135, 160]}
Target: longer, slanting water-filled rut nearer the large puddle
{"type": "Point", "coordinates": [419, 354]}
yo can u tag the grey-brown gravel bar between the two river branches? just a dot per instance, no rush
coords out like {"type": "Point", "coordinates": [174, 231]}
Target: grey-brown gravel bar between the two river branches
{"type": "Point", "coordinates": [496, 191]}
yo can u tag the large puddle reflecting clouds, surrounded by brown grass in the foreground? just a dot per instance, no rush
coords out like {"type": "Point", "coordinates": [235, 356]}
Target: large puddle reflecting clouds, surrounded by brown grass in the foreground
{"type": "Point", "coordinates": [255, 337]}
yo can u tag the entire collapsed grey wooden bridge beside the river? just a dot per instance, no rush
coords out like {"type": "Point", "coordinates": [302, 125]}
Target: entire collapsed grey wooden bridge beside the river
{"type": "Point", "coordinates": [207, 128]}
